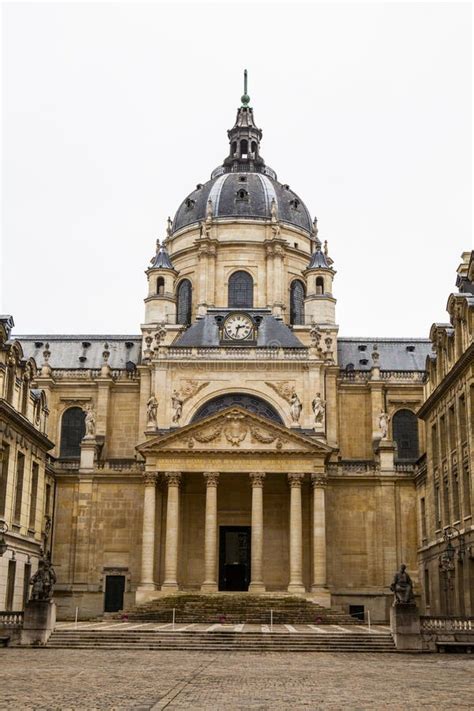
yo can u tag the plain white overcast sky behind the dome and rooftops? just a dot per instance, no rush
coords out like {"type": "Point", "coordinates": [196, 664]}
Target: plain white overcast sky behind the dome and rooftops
{"type": "Point", "coordinates": [113, 112]}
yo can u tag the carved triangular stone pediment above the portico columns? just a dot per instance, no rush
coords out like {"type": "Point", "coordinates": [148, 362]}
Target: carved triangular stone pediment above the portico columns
{"type": "Point", "coordinates": [235, 429]}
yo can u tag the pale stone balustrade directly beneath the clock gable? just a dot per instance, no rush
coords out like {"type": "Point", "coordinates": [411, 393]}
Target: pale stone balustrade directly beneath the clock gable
{"type": "Point", "coordinates": [236, 353]}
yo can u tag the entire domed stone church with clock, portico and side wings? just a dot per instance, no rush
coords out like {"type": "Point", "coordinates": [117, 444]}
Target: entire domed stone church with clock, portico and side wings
{"type": "Point", "coordinates": [237, 443]}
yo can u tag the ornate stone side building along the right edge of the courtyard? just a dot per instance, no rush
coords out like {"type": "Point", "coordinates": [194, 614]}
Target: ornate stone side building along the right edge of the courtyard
{"type": "Point", "coordinates": [444, 475]}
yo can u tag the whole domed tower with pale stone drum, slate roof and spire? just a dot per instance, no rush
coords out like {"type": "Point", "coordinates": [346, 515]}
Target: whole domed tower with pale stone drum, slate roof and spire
{"type": "Point", "coordinates": [242, 240]}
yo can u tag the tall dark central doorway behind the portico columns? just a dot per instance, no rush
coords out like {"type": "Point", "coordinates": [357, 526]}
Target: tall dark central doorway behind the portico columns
{"type": "Point", "coordinates": [234, 558]}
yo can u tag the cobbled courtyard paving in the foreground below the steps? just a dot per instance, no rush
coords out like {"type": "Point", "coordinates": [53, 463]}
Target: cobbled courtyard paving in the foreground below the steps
{"type": "Point", "coordinates": [60, 680]}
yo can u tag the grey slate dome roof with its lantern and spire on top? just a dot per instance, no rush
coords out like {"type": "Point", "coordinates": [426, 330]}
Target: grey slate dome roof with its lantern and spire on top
{"type": "Point", "coordinates": [243, 186]}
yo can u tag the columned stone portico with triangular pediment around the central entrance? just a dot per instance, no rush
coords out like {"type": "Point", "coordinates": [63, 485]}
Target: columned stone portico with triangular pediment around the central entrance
{"type": "Point", "coordinates": [234, 470]}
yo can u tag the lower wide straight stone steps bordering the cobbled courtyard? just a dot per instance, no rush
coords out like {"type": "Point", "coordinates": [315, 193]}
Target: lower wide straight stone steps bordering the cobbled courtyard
{"type": "Point", "coordinates": [223, 640]}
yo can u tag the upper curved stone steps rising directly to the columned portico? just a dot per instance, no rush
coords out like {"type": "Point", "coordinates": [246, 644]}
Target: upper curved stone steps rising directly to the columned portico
{"type": "Point", "coordinates": [234, 608]}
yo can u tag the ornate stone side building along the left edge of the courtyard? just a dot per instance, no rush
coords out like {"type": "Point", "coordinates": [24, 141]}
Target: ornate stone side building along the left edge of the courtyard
{"type": "Point", "coordinates": [26, 474]}
